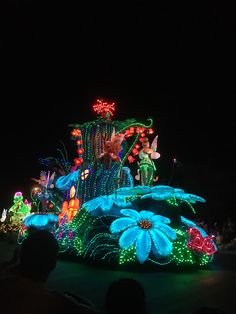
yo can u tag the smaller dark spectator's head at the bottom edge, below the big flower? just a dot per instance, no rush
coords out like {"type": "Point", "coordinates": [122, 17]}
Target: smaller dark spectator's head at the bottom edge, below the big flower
{"type": "Point", "coordinates": [126, 296]}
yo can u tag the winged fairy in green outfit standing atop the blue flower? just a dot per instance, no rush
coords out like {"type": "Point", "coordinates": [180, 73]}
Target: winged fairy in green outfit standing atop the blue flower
{"type": "Point", "coordinates": [147, 167]}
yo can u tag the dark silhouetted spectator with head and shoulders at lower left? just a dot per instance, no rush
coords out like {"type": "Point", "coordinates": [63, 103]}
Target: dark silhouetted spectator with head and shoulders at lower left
{"type": "Point", "coordinates": [25, 291]}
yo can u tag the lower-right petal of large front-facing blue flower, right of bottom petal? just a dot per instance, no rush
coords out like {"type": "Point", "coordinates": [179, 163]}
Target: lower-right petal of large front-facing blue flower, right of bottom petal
{"type": "Point", "coordinates": [161, 244]}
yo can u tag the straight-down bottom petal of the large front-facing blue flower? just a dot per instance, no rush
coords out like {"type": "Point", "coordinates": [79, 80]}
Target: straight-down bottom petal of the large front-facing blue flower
{"type": "Point", "coordinates": [143, 246]}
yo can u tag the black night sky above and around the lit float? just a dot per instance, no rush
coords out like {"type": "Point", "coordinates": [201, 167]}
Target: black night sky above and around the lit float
{"type": "Point", "coordinates": [171, 62]}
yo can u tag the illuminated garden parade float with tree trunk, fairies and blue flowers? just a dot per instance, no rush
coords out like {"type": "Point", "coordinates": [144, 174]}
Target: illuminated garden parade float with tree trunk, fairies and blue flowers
{"type": "Point", "coordinates": [102, 212]}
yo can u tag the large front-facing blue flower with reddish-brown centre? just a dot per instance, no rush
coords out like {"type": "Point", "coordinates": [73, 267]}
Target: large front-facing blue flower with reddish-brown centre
{"type": "Point", "coordinates": [146, 231]}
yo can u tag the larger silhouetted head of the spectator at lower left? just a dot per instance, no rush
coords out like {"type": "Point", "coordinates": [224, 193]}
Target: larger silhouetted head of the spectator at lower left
{"type": "Point", "coordinates": [38, 255]}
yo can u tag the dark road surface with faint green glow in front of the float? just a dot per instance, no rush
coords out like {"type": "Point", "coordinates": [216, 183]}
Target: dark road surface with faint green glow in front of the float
{"type": "Point", "coordinates": [168, 292]}
